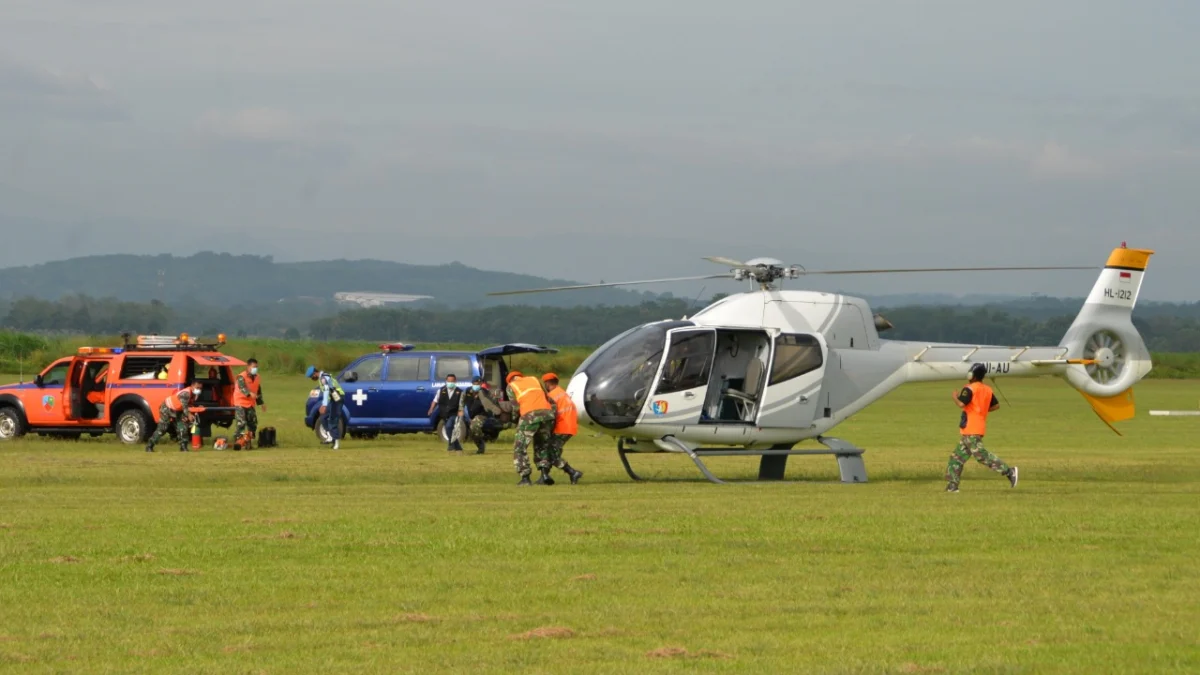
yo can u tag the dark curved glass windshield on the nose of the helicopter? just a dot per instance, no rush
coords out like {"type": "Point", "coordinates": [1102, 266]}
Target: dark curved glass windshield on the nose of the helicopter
{"type": "Point", "coordinates": [622, 374]}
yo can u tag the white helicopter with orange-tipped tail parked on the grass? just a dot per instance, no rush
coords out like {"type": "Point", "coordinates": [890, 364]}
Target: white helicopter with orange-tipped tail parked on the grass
{"type": "Point", "coordinates": [758, 373]}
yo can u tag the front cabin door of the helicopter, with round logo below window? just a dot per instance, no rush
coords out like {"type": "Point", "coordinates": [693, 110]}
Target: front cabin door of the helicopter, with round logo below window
{"type": "Point", "coordinates": [680, 392]}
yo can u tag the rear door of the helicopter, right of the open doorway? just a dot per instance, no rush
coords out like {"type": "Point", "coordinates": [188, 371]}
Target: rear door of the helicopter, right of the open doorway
{"type": "Point", "coordinates": [794, 385]}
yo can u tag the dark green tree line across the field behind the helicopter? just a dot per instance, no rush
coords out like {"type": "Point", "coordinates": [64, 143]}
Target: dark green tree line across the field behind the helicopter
{"type": "Point", "coordinates": [580, 326]}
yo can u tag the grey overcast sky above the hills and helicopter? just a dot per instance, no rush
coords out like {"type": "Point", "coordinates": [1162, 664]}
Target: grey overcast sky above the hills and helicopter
{"type": "Point", "coordinates": [605, 140]}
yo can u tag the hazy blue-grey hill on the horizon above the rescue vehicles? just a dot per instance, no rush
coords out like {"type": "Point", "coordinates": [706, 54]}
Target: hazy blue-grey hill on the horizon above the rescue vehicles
{"type": "Point", "coordinates": [215, 279]}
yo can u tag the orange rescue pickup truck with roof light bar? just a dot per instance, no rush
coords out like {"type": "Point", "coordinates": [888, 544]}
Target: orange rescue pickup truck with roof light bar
{"type": "Point", "coordinates": [119, 390]}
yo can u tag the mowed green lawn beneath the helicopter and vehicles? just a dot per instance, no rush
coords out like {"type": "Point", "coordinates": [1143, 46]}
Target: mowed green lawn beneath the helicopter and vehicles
{"type": "Point", "coordinates": [392, 557]}
